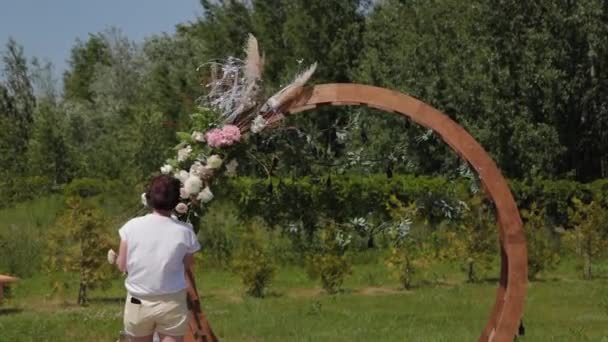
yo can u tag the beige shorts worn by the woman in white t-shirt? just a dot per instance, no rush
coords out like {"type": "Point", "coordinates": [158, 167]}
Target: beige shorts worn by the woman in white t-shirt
{"type": "Point", "coordinates": [165, 314]}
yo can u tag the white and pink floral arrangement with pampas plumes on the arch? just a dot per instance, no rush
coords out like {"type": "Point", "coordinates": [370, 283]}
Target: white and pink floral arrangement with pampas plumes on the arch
{"type": "Point", "coordinates": [233, 109]}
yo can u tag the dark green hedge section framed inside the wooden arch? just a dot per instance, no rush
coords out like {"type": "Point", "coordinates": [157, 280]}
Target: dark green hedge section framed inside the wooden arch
{"type": "Point", "coordinates": [340, 197]}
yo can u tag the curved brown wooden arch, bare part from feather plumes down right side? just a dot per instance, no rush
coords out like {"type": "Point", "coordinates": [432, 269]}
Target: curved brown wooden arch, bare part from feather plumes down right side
{"type": "Point", "coordinates": [505, 316]}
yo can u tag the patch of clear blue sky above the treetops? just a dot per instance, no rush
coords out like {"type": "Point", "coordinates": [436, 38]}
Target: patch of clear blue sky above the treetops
{"type": "Point", "coordinates": [47, 29]}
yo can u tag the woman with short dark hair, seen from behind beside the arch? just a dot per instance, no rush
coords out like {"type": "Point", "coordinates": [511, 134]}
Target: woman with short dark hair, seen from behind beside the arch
{"type": "Point", "coordinates": [155, 250]}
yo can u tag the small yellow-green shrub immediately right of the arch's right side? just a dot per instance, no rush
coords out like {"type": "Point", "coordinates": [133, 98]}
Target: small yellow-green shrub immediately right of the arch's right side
{"type": "Point", "coordinates": [542, 252]}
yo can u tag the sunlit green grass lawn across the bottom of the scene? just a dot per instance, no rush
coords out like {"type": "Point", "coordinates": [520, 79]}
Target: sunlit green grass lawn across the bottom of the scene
{"type": "Point", "coordinates": [371, 308]}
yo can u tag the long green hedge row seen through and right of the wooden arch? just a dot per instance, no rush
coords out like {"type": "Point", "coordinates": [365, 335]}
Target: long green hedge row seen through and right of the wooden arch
{"type": "Point", "coordinates": [343, 197]}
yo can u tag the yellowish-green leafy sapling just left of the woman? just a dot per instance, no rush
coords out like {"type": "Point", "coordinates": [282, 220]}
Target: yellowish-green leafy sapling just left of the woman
{"type": "Point", "coordinates": [78, 243]}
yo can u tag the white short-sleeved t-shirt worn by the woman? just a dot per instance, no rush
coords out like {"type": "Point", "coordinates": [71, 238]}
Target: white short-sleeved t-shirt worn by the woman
{"type": "Point", "coordinates": [156, 246]}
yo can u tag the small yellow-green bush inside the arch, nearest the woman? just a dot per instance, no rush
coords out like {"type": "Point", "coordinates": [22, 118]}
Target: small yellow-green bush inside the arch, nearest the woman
{"type": "Point", "coordinates": [253, 260]}
